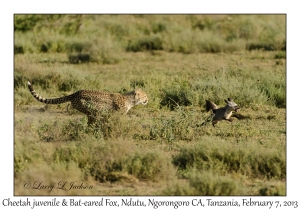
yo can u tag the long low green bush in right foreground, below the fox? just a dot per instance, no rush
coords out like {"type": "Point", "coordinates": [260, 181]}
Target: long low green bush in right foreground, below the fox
{"type": "Point", "coordinates": [252, 162]}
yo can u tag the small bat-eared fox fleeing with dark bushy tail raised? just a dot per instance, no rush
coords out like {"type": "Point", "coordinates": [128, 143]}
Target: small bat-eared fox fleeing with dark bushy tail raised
{"type": "Point", "coordinates": [223, 113]}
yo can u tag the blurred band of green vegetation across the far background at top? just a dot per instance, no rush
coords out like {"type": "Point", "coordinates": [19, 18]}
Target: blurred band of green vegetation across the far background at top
{"type": "Point", "coordinates": [103, 35]}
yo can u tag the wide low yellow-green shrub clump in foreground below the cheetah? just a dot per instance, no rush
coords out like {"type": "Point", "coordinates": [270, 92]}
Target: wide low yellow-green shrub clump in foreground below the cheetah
{"type": "Point", "coordinates": [110, 162]}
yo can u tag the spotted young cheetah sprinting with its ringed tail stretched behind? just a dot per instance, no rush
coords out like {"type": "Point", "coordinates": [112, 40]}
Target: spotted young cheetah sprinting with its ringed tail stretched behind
{"type": "Point", "coordinates": [91, 102]}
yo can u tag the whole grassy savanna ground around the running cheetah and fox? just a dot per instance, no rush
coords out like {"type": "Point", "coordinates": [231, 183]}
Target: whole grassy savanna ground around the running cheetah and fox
{"type": "Point", "coordinates": [157, 149]}
